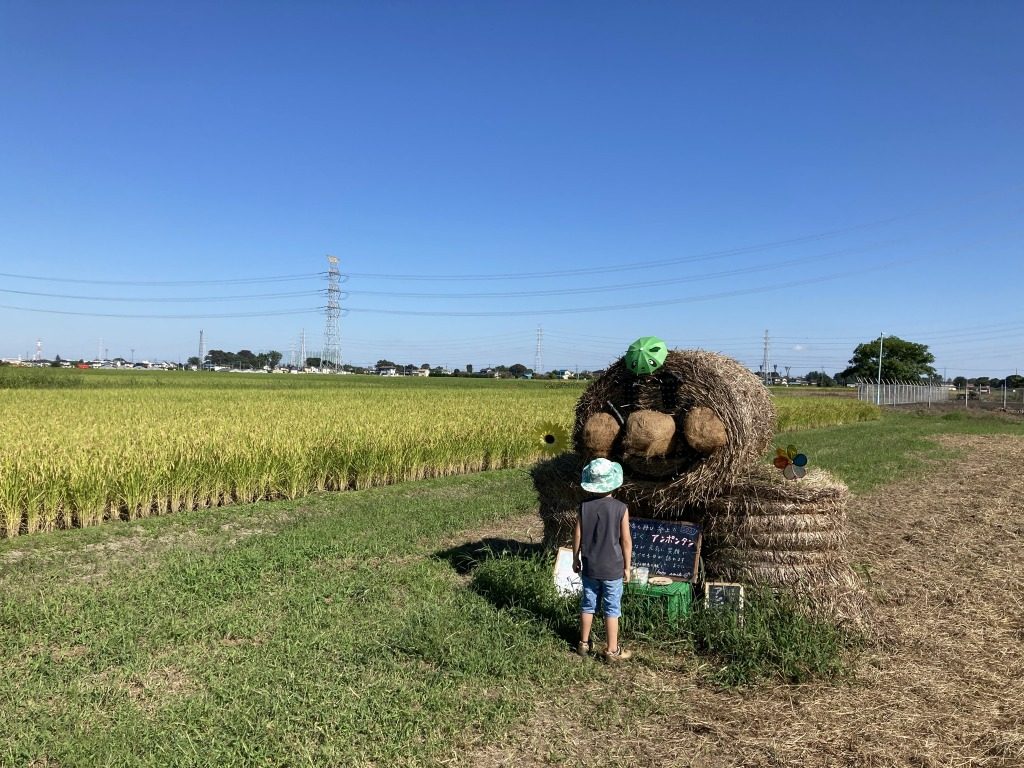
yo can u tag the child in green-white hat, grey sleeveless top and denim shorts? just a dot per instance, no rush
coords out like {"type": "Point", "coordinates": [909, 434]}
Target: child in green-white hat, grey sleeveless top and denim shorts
{"type": "Point", "coordinates": [603, 538]}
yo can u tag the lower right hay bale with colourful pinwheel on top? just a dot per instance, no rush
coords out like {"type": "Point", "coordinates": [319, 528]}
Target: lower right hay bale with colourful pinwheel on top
{"type": "Point", "coordinates": [778, 534]}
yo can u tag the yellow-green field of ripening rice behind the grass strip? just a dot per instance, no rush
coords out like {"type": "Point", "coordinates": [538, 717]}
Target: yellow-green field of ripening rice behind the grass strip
{"type": "Point", "coordinates": [78, 448]}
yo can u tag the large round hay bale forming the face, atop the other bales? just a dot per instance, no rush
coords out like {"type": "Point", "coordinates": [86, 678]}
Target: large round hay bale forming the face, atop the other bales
{"type": "Point", "coordinates": [726, 398]}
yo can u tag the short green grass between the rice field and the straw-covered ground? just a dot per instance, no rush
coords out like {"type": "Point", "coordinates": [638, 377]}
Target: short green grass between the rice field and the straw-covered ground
{"type": "Point", "coordinates": [336, 631]}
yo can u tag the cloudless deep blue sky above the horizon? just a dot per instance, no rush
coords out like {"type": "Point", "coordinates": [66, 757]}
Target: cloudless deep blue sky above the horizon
{"type": "Point", "coordinates": [704, 173]}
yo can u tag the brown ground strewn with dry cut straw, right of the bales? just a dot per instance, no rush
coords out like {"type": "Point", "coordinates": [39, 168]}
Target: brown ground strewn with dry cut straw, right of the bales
{"type": "Point", "coordinates": [943, 685]}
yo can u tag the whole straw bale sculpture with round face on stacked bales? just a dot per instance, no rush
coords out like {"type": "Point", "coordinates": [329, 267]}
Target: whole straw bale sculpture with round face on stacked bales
{"type": "Point", "coordinates": [692, 431]}
